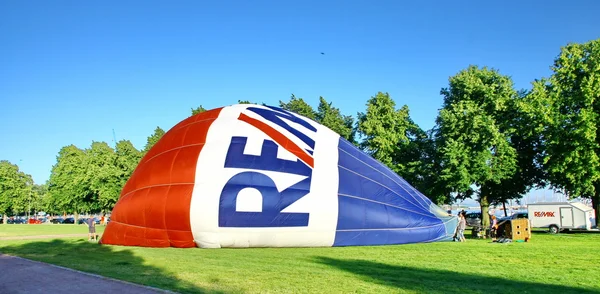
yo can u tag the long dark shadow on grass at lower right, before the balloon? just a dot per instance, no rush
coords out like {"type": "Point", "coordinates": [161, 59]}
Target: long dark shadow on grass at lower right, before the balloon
{"type": "Point", "coordinates": [441, 281]}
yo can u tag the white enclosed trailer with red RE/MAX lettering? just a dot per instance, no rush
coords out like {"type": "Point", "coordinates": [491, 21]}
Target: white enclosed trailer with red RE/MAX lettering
{"type": "Point", "coordinates": [557, 216]}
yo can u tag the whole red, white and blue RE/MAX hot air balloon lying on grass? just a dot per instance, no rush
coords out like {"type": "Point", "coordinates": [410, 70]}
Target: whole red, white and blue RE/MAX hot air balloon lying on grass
{"type": "Point", "coordinates": [258, 176]}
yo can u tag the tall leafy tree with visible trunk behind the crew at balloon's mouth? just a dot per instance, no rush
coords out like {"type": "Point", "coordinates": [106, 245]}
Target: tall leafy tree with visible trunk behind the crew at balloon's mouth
{"type": "Point", "coordinates": [473, 134]}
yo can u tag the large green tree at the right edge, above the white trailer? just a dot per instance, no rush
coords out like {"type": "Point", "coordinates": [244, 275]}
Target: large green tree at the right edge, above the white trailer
{"type": "Point", "coordinates": [572, 135]}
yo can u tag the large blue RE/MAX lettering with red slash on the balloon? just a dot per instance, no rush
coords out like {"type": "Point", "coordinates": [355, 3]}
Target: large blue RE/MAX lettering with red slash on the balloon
{"type": "Point", "coordinates": [273, 201]}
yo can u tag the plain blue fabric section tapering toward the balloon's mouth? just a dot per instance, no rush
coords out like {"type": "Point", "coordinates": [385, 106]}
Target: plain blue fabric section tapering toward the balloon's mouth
{"type": "Point", "coordinates": [376, 206]}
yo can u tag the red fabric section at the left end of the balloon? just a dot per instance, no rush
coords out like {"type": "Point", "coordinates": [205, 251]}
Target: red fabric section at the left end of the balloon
{"type": "Point", "coordinates": [154, 207]}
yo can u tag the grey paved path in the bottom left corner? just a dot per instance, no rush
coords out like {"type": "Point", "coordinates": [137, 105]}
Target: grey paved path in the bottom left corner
{"type": "Point", "coordinates": [21, 275]}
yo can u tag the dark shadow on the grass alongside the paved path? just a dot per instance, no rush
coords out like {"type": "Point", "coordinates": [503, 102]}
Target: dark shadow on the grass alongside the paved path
{"type": "Point", "coordinates": [102, 260]}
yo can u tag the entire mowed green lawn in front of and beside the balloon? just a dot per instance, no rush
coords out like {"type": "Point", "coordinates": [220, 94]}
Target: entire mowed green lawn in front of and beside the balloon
{"type": "Point", "coordinates": [563, 263]}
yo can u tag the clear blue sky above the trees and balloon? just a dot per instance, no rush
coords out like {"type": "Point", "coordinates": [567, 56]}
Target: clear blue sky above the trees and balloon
{"type": "Point", "coordinates": [72, 71]}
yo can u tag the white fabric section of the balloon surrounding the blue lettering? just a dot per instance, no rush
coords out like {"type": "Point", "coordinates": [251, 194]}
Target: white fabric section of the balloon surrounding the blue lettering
{"type": "Point", "coordinates": [321, 203]}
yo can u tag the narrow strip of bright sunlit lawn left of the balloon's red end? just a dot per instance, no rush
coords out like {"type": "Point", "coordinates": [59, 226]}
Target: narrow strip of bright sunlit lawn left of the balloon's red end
{"type": "Point", "coordinates": [12, 230]}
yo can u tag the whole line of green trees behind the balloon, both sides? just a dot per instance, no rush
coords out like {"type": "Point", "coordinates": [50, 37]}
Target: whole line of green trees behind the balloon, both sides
{"type": "Point", "coordinates": [490, 141]}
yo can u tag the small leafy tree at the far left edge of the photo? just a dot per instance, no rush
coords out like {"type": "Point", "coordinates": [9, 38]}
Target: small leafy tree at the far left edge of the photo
{"type": "Point", "coordinates": [15, 188]}
